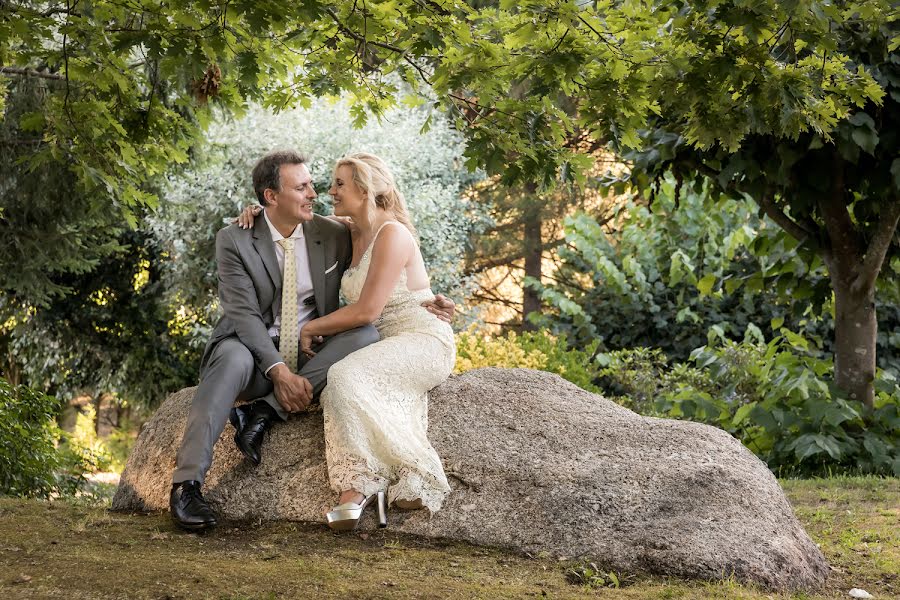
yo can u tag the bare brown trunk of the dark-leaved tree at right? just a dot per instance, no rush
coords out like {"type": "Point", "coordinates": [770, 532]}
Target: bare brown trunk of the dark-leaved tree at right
{"type": "Point", "coordinates": [855, 332]}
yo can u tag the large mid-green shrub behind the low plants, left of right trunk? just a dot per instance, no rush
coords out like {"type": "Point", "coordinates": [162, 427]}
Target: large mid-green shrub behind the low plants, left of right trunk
{"type": "Point", "coordinates": [661, 275]}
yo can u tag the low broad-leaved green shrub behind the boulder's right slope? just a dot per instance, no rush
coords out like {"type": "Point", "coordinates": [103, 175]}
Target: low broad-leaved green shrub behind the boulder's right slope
{"type": "Point", "coordinates": [776, 397]}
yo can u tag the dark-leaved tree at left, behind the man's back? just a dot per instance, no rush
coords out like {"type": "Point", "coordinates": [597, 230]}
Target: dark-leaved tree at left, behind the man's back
{"type": "Point", "coordinates": [114, 332]}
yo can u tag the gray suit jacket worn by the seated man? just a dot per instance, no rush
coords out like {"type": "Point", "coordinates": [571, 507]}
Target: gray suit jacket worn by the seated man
{"type": "Point", "coordinates": [250, 282]}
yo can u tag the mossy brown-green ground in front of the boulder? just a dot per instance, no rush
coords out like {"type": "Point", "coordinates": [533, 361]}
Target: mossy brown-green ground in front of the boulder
{"type": "Point", "coordinates": [70, 550]}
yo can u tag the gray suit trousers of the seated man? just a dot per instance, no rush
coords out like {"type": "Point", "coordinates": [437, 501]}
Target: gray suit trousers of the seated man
{"type": "Point", "coordinates": [230, 375]}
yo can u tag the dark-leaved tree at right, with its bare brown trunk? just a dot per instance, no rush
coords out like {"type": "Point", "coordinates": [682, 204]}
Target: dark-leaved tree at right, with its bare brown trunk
{"type": "Point", "coordinates": [837, 193]}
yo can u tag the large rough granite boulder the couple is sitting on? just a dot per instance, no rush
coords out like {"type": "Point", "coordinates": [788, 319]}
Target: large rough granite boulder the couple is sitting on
{"type": "Point", "coordinates": [536, 464]}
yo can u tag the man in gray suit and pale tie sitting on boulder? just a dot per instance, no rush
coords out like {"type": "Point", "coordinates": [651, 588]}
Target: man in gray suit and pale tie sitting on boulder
{"type": "Point", "coordinates": [242, 359]}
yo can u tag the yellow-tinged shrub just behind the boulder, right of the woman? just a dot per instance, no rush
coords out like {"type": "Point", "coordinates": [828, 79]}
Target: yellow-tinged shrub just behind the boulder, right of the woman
{"type": "Point", "coordinates": [530, 350]}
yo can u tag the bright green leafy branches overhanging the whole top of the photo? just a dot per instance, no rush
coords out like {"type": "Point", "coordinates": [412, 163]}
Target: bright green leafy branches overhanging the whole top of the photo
{"type": "Point", "coordinates": [537, 86]}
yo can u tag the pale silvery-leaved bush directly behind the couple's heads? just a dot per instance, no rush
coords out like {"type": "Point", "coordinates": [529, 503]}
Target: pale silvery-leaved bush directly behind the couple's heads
{"type": "Point", "coordinates": [197, 202]}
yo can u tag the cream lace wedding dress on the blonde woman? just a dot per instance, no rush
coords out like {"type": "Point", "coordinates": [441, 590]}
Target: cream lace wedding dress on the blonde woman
{"type": "Point", "coordinates": [376, 403]}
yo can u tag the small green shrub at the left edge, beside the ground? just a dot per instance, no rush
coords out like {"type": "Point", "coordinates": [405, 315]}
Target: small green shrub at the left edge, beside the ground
{"type": "Point", "coordinates": [31, 464]}
